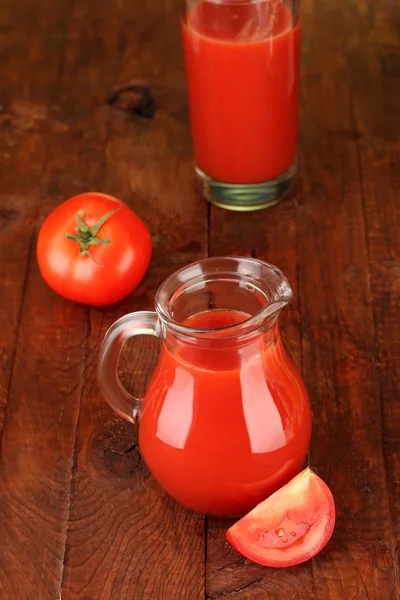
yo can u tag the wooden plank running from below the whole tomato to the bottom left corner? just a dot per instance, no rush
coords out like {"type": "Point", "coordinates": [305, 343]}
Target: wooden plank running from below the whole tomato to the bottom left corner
{"type": "Point", "coordinates": [37, 443]}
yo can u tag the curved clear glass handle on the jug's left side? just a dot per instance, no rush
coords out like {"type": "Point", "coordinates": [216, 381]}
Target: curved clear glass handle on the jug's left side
{"type": "Point", "coordinates": [138, 323]}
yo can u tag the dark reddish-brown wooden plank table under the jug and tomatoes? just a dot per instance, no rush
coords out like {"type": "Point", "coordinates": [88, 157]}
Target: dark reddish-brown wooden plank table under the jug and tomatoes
{"type": "Point", "coordinates": [80, 515]}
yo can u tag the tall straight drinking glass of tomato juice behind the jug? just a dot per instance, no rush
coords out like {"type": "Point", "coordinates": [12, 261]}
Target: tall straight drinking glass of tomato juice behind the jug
{"type": "Point", "coordinates": [242, 73]}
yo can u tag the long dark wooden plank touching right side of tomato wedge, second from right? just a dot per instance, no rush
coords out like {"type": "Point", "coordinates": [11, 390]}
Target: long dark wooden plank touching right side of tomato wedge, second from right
{"type": "Point", "coordinates": [337, 321]}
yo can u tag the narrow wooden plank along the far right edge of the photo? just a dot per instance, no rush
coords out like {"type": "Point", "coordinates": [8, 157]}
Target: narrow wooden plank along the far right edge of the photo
{"type": "Point", "coordinates": [377, 83]}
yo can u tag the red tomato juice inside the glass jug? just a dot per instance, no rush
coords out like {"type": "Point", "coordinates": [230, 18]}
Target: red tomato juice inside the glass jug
{"type": "Point", "coordinates": [223, 428]}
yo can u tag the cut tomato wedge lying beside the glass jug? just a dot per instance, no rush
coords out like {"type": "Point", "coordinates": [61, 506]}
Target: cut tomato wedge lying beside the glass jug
{"type": "Point", "coordinates": [290, 527]}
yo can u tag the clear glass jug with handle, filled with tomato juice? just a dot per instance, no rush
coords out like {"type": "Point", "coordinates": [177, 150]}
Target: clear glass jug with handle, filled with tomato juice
{"type": "Point", "coordinates": [225, 420]}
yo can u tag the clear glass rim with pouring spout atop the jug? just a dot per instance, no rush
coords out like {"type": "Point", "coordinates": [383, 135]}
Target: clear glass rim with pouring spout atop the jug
{"type": "Point", "coordinates": [264, 276]}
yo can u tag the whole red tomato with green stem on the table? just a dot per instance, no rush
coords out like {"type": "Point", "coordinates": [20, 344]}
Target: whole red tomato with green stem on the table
{"type": "Point", "coordinates": [93, 249]}
